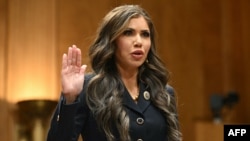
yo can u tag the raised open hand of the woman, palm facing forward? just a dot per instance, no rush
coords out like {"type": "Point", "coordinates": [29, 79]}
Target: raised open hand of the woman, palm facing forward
{"type": "Point", "coordinates": [72, 74]}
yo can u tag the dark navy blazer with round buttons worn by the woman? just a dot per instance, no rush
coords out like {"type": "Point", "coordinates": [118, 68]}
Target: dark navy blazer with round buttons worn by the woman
{"type": "Point", "coordinates": [147, 123]}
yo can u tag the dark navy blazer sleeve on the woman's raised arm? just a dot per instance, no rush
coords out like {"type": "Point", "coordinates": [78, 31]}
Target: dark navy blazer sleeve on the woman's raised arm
{"type": "Point", "coordinates": [68, 121]}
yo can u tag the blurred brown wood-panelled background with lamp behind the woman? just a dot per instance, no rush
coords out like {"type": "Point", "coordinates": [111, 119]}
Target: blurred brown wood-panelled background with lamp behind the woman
{"type": "Point", "coordinates": [204, 43]}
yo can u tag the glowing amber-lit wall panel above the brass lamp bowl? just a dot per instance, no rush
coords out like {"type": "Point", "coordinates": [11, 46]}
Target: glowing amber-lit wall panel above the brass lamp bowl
{"type": "Point", "coordinates": [32, 55]}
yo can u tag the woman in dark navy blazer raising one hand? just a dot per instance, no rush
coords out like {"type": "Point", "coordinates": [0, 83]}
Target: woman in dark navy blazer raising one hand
{"type": "Point", "coordinates": [126, 98]}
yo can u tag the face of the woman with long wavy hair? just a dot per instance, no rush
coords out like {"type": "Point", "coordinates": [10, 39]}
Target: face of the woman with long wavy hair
{"type": "Point", "coordinates": [133, 44]}
